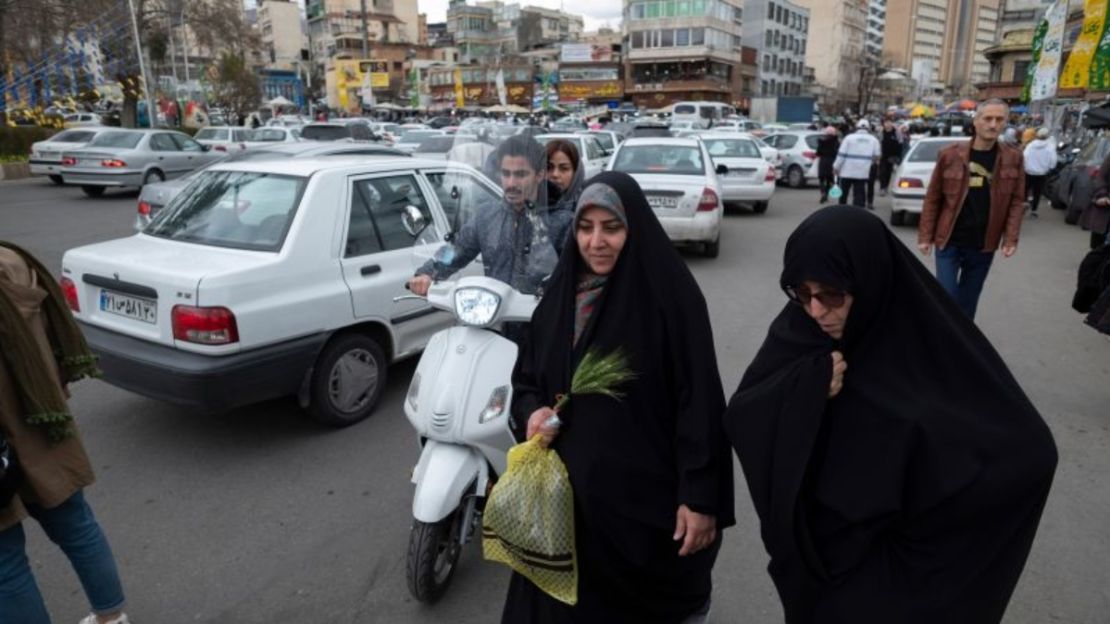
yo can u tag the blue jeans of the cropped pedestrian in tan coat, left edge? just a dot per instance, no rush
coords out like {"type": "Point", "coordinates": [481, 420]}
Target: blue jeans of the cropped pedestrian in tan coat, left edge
{"type": "Point", "coordinates": [73, 527]}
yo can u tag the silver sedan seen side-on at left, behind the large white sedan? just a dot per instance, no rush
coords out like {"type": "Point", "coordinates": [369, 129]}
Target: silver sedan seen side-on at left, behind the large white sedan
{"type": "Point", "coordinates": [134, 158]}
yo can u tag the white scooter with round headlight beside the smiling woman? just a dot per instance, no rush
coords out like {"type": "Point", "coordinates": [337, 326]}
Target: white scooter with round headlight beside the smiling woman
{"type": "Point", "coordinates": [459, 404]}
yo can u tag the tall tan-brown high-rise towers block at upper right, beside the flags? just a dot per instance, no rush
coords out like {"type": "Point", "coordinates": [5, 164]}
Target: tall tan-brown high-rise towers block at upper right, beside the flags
{"type": "Point", "coordinates": [943, 44]}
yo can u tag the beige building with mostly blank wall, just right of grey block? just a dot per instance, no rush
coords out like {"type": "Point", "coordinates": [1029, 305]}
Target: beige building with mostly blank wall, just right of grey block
{"type": "Point", "coordinates": [837, 51]}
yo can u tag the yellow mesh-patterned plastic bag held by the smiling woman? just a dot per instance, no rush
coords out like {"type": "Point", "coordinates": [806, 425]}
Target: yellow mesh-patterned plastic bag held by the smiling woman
{"type": "Point", "coordinates": [529, 521]}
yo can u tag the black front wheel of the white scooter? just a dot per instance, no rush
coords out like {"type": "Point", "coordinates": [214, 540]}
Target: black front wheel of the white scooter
{"type": "Point", "coordinates": [433, 552]}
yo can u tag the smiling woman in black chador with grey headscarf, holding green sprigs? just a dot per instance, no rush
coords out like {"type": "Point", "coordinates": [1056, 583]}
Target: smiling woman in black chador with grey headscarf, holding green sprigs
{"type": "Point", "coordinates": [651, 471]}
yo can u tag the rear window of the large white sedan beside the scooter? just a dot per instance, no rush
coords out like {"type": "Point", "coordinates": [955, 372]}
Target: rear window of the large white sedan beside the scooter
{"type": "Point", "coordinates": [234, 209]}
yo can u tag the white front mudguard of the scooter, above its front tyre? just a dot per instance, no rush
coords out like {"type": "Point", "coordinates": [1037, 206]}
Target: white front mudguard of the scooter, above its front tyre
{"type": "Point", "coordinates": [443, 477]}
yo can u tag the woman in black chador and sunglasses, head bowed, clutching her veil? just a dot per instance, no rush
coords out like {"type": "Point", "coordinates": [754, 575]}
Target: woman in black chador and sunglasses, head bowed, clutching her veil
{"type": "Point", "coordinates": [899, 470]}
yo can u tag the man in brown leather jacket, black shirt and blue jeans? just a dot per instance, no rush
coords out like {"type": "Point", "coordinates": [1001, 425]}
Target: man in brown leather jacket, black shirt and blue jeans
{"type": "Point", "coordinates": [974, 204]}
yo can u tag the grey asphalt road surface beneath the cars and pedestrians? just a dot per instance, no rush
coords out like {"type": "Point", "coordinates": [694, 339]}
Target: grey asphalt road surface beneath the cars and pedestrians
{"type": "Point", "coordinates": [263, 517]}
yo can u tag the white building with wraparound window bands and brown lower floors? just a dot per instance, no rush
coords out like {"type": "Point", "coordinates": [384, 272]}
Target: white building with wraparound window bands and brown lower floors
{"type": "Point", "coordinates": [682, 51]}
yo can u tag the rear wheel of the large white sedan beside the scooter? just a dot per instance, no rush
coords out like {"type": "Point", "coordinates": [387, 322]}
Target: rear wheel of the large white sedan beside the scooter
{"type": "Point", "coordinates": [348, 380]}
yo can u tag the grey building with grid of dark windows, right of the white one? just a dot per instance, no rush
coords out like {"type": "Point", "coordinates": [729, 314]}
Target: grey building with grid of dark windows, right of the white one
{"type": "Point", "coordinates": [778, 29]}
